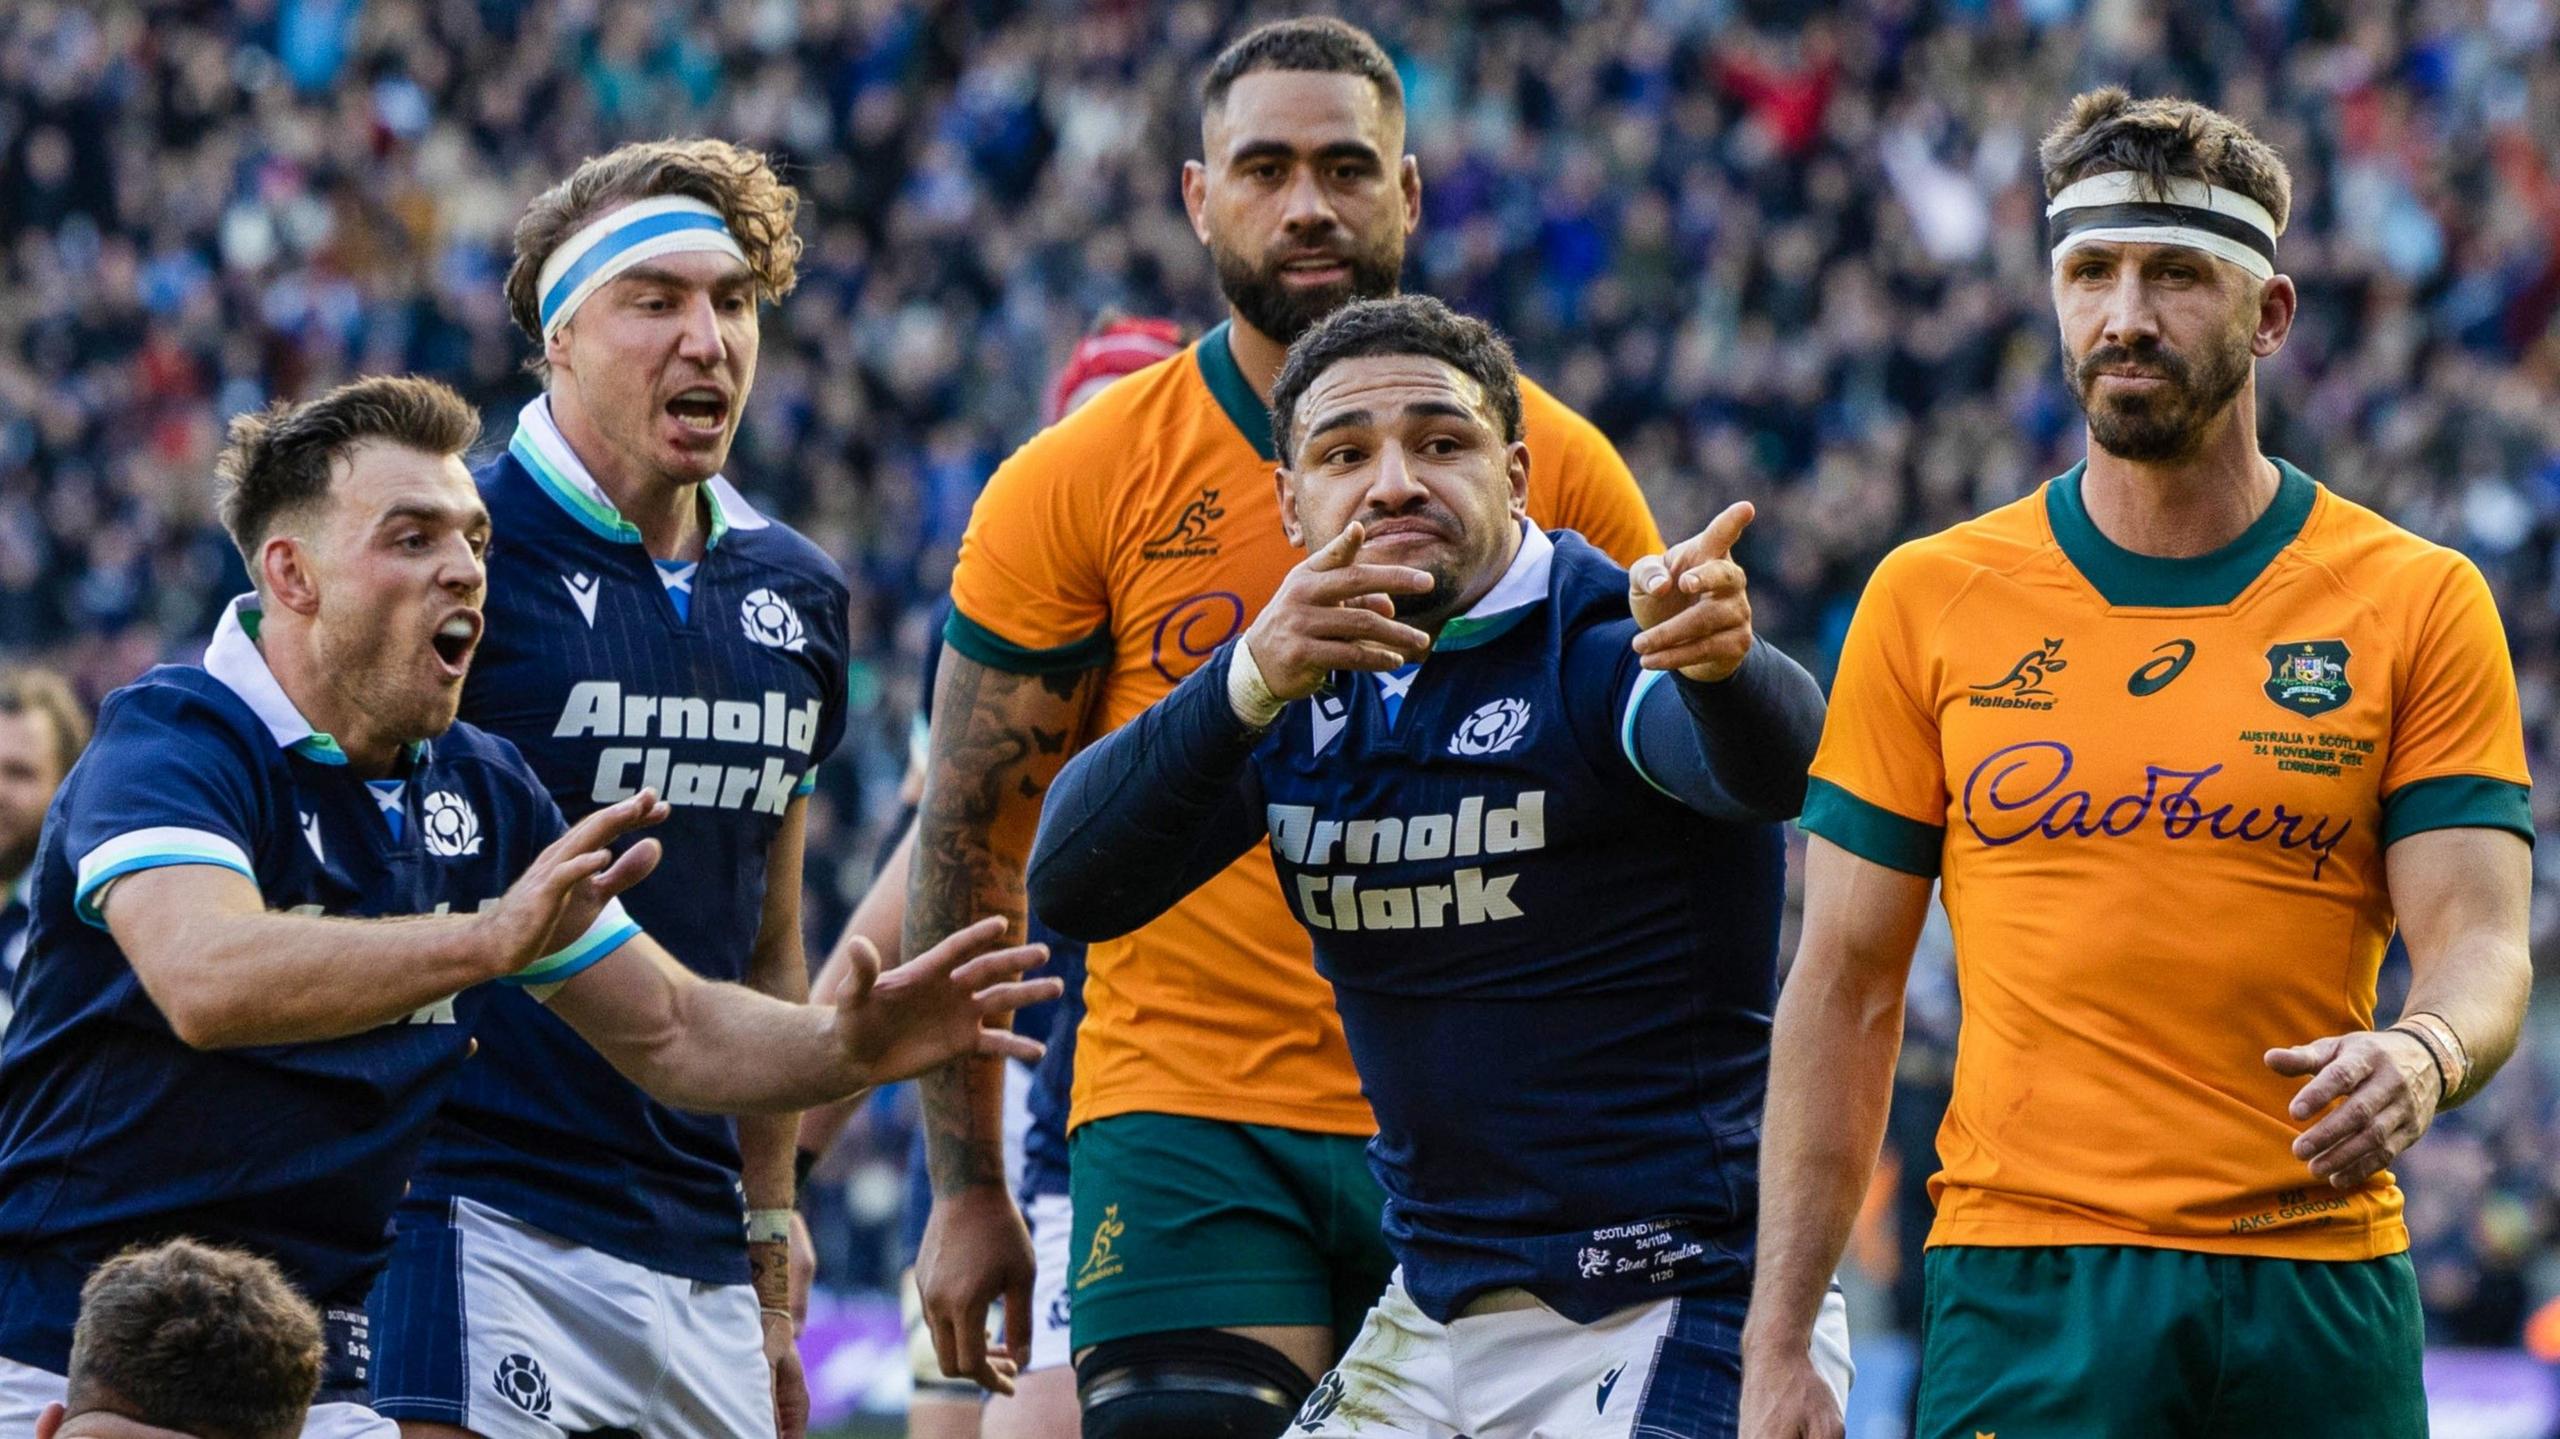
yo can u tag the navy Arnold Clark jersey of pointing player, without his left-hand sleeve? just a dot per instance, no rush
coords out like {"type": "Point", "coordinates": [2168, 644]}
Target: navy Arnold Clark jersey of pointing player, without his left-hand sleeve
{"type": "Point", "coordinates": [1555, 979]}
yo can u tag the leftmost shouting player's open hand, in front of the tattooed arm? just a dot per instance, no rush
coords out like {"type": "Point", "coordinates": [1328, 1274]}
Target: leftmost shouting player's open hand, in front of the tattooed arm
{"type": "Point", "coordinates": [941, 1005]}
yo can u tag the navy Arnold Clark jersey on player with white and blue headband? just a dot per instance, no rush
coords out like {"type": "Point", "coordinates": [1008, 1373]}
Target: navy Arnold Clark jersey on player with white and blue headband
{"type": "Point", "coordinates": [723, 700]}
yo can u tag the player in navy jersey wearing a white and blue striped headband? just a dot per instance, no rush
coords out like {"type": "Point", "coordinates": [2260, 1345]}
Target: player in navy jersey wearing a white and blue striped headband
{"type": "Point", "coordinates": [646, 631]}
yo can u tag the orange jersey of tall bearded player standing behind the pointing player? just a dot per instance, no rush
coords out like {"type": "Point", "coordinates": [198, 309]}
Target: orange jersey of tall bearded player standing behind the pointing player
{"type": "Point", "coordinates": [1138, 536]}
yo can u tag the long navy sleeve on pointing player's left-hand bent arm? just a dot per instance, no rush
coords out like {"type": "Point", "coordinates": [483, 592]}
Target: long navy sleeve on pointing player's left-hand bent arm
{"type": "Point", "coordinates": [1151, 813]}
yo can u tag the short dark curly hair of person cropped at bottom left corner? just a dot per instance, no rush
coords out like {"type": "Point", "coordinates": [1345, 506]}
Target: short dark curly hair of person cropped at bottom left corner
{"type": "Point", "coordinates": [201, 1340]}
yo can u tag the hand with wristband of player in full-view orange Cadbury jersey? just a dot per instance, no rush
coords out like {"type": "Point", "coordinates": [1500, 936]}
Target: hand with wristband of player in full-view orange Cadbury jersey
{"type": "Point", "coordinates": [2387, 1089]}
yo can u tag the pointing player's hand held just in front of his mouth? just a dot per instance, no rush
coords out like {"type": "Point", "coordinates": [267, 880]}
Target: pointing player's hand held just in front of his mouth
{"type": "Point", "coordinates": [1335, 613]}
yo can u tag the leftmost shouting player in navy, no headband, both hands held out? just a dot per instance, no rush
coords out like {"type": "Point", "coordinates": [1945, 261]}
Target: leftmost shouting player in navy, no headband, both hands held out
{"type": "Point", "coordinates": [275, 892]}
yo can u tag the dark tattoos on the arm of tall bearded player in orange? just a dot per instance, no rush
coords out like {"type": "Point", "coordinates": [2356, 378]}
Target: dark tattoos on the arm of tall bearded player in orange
{"type": "Point", "coordinates": [997, 744]}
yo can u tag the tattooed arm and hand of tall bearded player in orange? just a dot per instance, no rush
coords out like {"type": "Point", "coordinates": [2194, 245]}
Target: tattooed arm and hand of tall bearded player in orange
{"type": "Point", "coordinates": [997, 744]}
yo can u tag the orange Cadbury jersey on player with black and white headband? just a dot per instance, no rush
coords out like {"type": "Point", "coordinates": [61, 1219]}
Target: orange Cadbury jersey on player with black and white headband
{"type": "Point", "coordinates": [2157, 798]}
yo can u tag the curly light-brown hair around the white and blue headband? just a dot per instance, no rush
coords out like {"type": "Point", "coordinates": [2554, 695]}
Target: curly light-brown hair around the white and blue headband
{"type": "Point", "coordinates": [739, 183]}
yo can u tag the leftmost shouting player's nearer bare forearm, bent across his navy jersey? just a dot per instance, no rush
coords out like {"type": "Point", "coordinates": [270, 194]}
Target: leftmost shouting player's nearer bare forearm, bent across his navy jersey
{"type": "Point", "coordinates": [288, 979]}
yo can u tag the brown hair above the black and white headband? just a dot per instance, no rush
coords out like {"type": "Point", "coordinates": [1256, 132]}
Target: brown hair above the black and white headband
{"type": "Point", "coordinates": [2164, 140]}
